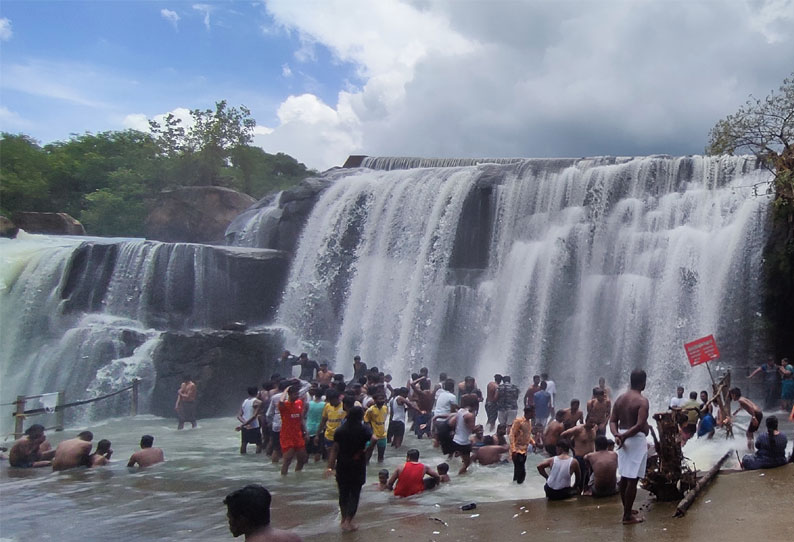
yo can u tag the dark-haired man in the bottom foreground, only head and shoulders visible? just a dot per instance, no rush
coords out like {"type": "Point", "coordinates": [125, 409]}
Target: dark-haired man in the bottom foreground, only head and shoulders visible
{"type": "Point", "coordinates": [248, 512]}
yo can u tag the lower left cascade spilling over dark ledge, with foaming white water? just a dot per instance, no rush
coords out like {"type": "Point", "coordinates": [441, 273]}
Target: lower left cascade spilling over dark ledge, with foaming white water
{"type": "Point", "coordinates": [84, 314]}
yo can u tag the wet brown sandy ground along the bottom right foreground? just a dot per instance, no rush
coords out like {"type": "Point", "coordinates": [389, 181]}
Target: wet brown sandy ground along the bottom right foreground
{"type": "Point", "coordinates": [737, 506]}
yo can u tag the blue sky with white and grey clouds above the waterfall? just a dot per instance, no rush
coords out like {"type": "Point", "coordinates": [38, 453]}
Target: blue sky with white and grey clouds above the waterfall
{"type": "Point", "coordinates": [457, 78]}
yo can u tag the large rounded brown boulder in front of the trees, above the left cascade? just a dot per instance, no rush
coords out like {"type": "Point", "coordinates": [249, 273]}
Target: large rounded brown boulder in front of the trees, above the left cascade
{"type": "Point", "coordinates": [195, 214]}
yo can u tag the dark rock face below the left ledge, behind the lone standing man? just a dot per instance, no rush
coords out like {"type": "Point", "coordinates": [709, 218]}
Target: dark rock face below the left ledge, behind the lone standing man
{"type": "Point", "coordinates": [222, 363]}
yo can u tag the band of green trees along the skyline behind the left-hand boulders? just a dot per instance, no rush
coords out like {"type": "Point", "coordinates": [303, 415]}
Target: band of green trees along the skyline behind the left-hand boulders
{"type": "Point", "coordinates": [106, 180]}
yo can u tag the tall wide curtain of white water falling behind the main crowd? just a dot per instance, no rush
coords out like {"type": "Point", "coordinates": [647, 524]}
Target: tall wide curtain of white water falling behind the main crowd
{"type": "Point", "coordinates": [579, 268]}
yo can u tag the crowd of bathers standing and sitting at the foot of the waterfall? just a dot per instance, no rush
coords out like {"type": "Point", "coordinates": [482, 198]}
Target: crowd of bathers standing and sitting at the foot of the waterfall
{"type": "Point", "coordinates": [322, 416]}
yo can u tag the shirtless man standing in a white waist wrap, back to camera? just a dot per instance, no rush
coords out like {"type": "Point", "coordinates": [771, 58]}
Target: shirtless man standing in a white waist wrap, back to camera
{"type": "Point", "coordinates": [629, 424]}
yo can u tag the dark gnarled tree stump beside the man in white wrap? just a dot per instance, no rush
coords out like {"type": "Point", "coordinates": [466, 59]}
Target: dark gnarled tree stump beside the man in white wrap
{"type": "Point", "coordinates": [667, 476]}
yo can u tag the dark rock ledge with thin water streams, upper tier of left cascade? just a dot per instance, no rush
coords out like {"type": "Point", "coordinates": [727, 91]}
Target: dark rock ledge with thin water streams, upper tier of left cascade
{"type": "Point", "coordinates": [197, 286]}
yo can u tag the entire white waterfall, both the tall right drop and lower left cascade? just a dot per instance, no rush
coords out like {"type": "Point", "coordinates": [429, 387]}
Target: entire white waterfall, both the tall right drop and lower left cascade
{"type": "Point", "coordinates": [576, 267]}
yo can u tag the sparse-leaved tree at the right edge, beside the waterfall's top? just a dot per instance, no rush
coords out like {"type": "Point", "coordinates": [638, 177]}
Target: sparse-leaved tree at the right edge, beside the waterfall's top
{"type": "Point", "coordinates": [765, 128]}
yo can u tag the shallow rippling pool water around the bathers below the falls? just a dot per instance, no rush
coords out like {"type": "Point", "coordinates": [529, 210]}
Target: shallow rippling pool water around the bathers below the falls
{"type": "Point", "coordinates": [182, 498]}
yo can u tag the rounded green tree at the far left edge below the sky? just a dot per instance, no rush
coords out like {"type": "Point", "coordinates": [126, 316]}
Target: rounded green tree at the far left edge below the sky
{"type": "Point", "coordinates": [23, 175]}
